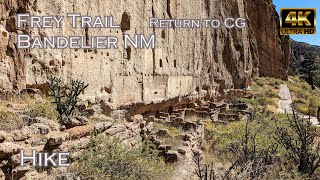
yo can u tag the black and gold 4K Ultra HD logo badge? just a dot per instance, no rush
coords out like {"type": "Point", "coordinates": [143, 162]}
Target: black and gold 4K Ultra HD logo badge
{"type": "Point", "coordinates": [297, 21]}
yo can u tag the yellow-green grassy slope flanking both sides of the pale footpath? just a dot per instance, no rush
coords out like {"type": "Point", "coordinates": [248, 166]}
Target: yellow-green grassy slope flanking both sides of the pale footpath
{"type": "Point", "coordinates": [266, 90]}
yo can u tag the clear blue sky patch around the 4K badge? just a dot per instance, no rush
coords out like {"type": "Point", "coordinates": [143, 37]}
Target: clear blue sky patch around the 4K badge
{"type": "Point", "coordinates": [311, 39]}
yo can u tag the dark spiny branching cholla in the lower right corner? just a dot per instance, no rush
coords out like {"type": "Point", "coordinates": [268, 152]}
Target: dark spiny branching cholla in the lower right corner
{"type": "Point", "coordinates": [298, 139]}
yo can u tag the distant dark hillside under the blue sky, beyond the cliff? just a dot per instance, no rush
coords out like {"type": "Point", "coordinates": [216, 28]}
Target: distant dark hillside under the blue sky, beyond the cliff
{"type": "Point", "coordinates": [297, 52]}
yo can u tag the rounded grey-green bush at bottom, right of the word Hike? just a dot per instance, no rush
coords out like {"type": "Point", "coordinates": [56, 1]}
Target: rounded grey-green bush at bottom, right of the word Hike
{"type": "Point", "coordinates": [109, 159]}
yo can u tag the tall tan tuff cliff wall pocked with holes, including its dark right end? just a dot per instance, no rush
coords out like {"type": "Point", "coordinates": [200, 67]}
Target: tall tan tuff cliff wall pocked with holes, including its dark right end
{"type": "Point", "coordinates": [186, 61]}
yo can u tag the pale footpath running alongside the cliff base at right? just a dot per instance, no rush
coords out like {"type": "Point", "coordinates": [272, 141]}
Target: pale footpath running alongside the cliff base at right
{"type": "Point", "coordinates": [286, 101]}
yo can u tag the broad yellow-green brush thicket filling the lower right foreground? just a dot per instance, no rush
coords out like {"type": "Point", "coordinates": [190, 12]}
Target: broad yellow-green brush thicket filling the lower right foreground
{"type": "Point", "coordinates": [250, 148]}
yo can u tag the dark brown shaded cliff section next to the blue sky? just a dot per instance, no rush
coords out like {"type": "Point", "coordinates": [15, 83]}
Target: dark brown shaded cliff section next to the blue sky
{"type": "Point", "coordinates": [273, 50]}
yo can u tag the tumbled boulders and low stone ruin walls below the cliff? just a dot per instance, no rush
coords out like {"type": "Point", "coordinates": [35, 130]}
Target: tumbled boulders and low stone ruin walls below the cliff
{"type": "Point", "coordinates": [177, 134]}
